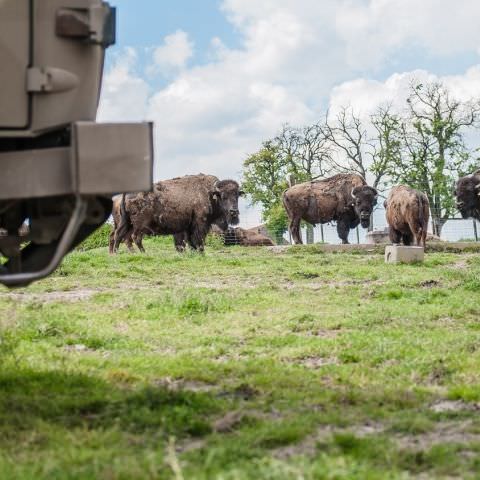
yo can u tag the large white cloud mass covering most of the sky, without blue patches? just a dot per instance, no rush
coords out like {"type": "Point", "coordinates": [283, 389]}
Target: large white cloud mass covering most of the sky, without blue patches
{"type": "Point", "coordinates": [295, 55]}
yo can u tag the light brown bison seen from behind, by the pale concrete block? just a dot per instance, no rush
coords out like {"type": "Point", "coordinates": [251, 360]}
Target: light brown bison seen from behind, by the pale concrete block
{"type": "Point", "coordinates": [407, 212]}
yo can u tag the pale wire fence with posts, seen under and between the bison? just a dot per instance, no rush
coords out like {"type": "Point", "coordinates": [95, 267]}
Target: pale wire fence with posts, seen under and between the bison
{"type": "Point", "coordinates": [454, 230]}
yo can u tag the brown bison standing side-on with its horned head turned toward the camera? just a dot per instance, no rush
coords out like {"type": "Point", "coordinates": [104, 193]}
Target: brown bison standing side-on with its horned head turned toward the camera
{"type": "Point", "coordinates": [344, 198]}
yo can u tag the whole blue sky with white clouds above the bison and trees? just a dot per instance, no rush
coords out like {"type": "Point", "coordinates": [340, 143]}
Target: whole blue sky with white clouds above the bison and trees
{"type": "Point", "coordinates": [218, 77]}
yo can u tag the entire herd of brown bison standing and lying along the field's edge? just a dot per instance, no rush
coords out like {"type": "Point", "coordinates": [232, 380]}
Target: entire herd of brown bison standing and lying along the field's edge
{"type": "Point", "coordinates": [190, 207]}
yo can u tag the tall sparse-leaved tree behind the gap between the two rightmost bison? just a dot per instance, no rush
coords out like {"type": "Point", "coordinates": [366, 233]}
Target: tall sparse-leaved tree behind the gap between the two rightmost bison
{"type": "Point", "coordinates": [433, 153]}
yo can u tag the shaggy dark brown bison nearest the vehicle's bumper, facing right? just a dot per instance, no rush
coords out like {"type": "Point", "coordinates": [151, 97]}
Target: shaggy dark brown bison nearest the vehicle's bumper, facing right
{"type": "Point", "coordinates": [184, 207]}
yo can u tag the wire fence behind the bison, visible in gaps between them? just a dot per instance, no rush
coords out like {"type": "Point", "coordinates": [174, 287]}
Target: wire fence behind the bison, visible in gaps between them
{"type": "Point", "coordinates": [454, 230]}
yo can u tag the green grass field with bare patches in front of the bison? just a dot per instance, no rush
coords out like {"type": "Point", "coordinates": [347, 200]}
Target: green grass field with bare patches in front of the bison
{"type": "Point", "coordinates": [242, 364]}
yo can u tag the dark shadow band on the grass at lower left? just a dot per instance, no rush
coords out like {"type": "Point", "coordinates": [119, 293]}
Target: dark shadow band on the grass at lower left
{"type": "Point", "coordinates": [29, 398]}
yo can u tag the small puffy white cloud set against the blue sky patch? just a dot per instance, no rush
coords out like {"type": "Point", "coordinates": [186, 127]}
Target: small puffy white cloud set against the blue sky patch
{"type": "Point", "coordinates": [176, 50]}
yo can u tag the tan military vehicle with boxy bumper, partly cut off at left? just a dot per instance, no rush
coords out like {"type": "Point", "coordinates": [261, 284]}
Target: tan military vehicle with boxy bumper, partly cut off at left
{"type": "Point", "coordinates": [58, 168]}
